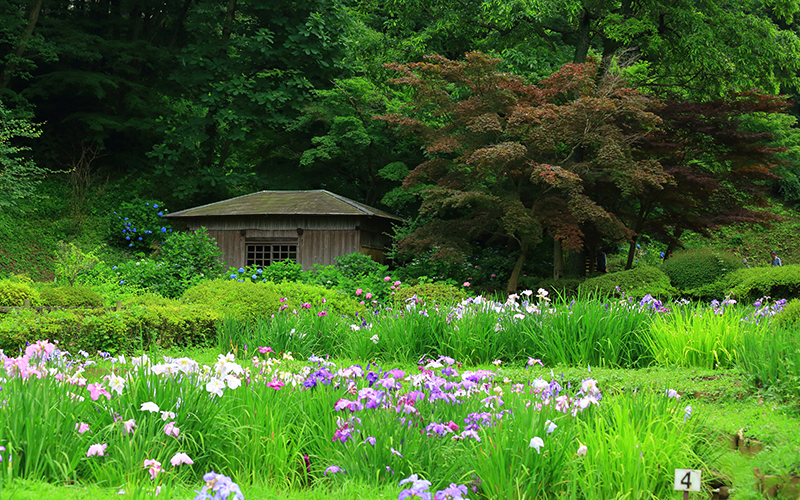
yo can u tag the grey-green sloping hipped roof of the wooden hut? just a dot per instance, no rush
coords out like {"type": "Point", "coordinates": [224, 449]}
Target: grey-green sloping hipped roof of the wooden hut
{"type": "Point", "coordinates": [316, 202]}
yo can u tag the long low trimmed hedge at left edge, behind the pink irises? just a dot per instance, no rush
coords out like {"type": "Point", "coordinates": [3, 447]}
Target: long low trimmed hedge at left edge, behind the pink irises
{"type": "Point", "coordinates": [122, 331]}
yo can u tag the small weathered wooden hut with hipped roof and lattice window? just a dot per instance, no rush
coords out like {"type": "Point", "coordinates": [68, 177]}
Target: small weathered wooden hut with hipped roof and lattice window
{"type": "Point", "coordinates": [309, 227]}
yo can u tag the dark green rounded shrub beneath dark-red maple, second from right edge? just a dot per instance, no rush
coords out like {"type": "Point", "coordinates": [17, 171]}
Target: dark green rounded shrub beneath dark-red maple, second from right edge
{"type": "Point", "coordinates": [698, 267]}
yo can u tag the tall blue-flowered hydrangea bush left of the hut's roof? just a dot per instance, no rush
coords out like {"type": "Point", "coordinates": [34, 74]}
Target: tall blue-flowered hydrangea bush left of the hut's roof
{"type": "Point", "coordinates": [138, 225]}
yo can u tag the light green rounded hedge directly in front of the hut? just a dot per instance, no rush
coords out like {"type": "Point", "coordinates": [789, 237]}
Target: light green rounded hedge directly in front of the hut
{"type": "Point", "coordinates": [251, 301]}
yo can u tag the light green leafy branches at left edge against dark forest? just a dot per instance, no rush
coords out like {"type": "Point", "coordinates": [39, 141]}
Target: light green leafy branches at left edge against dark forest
{"type": "Point", "coordinates": [19, 175]}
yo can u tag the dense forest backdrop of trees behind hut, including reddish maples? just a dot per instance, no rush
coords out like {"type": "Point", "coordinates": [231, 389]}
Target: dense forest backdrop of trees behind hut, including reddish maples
{"type": "Point", "coordinates": [504, 132]}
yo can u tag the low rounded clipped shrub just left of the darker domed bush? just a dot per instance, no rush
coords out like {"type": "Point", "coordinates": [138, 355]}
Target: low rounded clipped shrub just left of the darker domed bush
{"type": "Point", "coordinates": [636, 282]}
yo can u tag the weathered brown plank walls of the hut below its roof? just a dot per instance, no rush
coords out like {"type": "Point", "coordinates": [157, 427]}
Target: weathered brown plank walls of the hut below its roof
{"type": "Point", "coordinates": [322, 238]}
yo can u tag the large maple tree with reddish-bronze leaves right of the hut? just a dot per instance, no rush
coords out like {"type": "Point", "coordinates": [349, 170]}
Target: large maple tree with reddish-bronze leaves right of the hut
{"type": "Point", "coordinates": [509, 160]}
